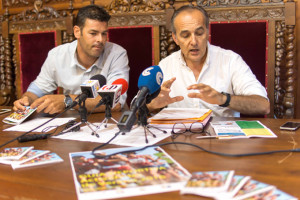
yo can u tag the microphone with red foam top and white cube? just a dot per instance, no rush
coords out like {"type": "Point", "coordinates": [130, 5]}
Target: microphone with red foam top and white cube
{"type": "Point", "coordinates": [111, 94]}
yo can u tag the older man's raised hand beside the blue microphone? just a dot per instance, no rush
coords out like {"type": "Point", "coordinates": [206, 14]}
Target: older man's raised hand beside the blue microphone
{"type": "Point", "coordinates": [164, 99]}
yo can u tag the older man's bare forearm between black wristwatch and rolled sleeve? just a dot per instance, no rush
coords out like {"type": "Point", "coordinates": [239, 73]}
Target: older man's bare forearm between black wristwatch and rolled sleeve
{"type": "Point", "coordinates": [253, 104]}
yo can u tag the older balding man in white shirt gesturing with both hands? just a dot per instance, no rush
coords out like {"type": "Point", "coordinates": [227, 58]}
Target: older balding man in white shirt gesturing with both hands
{"type": "Point", "coordinates": [201, 75]}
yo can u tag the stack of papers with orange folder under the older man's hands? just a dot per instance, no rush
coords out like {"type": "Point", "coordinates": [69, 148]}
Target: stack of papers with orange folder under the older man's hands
{"type": "Point", "coordinates": [167, 117]}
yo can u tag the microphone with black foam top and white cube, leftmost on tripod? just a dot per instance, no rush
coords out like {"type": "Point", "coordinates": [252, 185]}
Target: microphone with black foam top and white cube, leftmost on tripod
{"type": "Point", "coordinates": [90, 87]}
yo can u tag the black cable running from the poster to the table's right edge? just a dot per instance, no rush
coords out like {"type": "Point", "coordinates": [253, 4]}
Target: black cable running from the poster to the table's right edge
{"type": "Point", "coordinates": [199, 147]}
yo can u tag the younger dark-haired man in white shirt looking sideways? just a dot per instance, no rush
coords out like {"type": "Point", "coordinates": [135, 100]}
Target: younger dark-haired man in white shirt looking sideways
{"type": "Point", "coordinates": [69, 65]}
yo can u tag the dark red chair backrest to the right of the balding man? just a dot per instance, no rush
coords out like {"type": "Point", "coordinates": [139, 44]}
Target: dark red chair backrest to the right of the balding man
{"type": "Point", "coordinates": [248, 39]}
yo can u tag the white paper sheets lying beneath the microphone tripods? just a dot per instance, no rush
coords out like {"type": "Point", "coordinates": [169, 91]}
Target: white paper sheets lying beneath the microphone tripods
{"type": "Point", "coordinates": [135, 138]}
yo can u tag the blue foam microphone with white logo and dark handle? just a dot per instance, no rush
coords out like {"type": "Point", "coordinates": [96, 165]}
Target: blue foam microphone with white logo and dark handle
{"type": "Point", "coordinates": [149, 83]}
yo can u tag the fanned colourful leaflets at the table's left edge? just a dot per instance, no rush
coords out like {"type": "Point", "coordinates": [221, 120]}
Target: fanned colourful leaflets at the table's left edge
{"type": "Point", "coordinates": [20, 157]}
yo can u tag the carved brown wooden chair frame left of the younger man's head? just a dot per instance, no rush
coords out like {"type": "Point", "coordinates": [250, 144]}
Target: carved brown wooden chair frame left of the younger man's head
{"type": "Point", "coordinates": [33, 19]}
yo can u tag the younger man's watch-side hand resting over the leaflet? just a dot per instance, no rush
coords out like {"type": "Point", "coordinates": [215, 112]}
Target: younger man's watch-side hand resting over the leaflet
{"type": "Point", "coordinates": [51, 104]}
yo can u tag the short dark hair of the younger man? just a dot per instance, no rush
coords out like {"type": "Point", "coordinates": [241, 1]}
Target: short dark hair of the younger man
{"type": "Point", "coordinates": [91, 12]}
